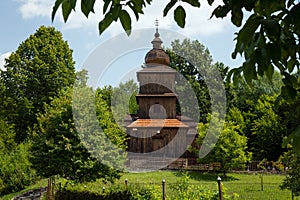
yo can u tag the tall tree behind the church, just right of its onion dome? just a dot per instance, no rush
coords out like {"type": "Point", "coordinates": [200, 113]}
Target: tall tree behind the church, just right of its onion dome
{"type": "Point", "coordinates": [195, 67]}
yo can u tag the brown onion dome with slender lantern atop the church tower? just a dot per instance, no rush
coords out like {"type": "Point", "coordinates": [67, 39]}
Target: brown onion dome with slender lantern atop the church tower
{"type": "Point", "coordinates": [157, 55]}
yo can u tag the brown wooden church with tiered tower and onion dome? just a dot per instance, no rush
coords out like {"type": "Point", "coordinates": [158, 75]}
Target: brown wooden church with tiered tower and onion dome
{"type": "Point", "coordinates": [158, 136]}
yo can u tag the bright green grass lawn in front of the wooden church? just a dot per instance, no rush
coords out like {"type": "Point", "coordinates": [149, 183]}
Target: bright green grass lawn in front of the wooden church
{"type": "Point", "coordinates": [247, 186]}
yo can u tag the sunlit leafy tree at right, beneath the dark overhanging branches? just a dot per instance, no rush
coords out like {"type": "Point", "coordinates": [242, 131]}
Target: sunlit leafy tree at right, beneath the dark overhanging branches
{"type": "Point", "coordinates": [261, 116]}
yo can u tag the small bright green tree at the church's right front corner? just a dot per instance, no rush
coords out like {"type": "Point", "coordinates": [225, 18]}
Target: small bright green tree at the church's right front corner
{"type": "Point", "coordinates": [231, 148]}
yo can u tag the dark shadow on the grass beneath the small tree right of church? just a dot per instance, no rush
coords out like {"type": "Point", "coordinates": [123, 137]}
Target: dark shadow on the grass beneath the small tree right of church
{"type": "Point", "coordinates": [205, 176]}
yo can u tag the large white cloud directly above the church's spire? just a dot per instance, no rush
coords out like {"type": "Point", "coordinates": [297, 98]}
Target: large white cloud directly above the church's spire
{"type": "Point", "coordinates": [198, 20]}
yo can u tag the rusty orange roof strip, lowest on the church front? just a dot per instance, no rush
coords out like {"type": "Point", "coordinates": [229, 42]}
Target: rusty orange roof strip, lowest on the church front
{"type": "Point", "coordinates": [171, 123]}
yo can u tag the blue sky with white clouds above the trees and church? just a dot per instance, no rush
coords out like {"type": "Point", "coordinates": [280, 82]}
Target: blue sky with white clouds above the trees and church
{"type": "Point", "coordinates": [21, 18]}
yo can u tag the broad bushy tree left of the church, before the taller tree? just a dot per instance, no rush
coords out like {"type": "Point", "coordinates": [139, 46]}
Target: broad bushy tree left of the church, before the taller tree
{"type": "Point", "coordinates": [58, 149]}
